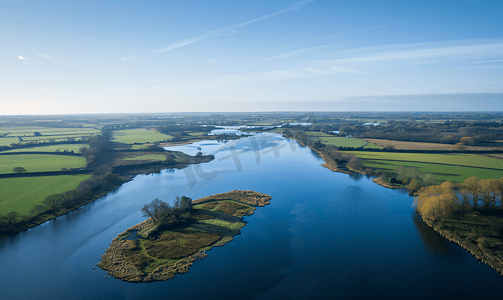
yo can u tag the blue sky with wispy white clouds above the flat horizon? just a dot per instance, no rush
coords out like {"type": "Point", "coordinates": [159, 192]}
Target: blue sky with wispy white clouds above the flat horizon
{"type": "Point", "coordinates": [70, 57]}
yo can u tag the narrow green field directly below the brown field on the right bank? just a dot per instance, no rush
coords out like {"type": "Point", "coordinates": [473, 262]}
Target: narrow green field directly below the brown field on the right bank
{"type": "Point", "coordinates": [471, 160]}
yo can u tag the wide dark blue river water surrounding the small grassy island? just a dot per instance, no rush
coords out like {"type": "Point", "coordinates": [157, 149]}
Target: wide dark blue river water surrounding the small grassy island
{"type": "Point", "coordinates": [325, 235]}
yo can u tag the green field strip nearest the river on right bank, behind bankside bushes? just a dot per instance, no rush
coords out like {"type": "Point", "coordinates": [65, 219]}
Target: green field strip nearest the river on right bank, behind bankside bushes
{"type": "Point", "coordinates": [442, 172]}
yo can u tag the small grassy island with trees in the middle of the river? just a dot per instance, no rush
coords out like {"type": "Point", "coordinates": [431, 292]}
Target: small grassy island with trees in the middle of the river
{"type": "Point", "coordinates": [173, 238]}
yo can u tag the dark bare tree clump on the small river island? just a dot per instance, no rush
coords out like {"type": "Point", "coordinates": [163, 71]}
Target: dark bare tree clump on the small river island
{"type": "Point", "coordinates": [162, 213]}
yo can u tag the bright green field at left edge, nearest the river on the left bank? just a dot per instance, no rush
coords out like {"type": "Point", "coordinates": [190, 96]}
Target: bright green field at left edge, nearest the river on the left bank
{"type": "Point", "coordinates": [22, 194]}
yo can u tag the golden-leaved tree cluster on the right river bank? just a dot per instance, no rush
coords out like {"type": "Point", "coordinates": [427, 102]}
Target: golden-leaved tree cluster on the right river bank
{"type": "Point", "coordinates": [439, 202]}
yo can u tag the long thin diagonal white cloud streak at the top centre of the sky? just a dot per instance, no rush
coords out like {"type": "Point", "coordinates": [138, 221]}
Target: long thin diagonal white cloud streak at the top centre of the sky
{"type": "Point", "coordinates": [231, 30]}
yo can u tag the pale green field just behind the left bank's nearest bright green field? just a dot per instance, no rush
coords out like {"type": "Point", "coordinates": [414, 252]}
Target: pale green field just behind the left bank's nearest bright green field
{"type": "Point", "coordinates": [39, 162]}
